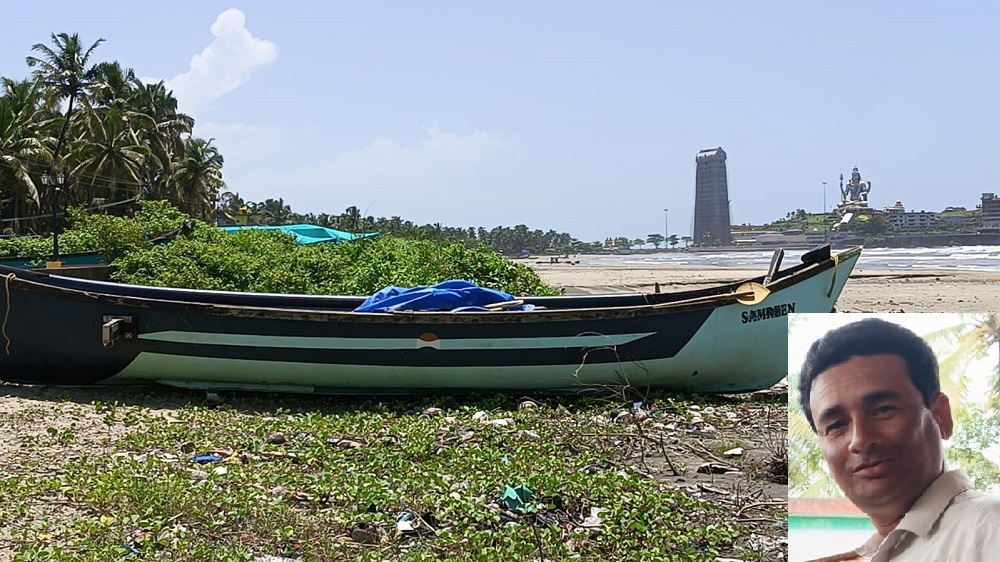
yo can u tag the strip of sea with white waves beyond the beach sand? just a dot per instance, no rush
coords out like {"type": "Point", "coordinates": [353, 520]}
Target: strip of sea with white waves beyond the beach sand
{"type": "Point", "coordinates": [966, 258]}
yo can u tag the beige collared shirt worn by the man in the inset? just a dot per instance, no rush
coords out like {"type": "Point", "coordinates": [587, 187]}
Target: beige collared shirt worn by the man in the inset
{"type": "Point", "coordinates": [949, 522]}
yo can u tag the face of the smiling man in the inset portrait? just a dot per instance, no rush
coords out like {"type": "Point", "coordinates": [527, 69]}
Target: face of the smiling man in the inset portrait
{"type": "Point", "coordinates": [883, 446]}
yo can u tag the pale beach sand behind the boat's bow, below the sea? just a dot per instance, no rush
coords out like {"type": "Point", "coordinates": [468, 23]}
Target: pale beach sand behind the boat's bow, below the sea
{"type": "Point", "coordinates": [867, 290]}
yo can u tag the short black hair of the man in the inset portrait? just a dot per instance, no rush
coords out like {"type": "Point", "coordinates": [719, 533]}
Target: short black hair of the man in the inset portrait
{"type": "Point", "coordinates": [871, 336]}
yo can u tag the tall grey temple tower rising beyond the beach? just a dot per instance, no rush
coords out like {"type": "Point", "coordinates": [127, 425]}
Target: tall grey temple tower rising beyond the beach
{"type": "Point", "coordinates": [711, 199]}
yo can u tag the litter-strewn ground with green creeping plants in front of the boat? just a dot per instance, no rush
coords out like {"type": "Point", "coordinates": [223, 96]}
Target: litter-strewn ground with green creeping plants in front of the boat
{"type": "Point", "coordinates": [326, 479]}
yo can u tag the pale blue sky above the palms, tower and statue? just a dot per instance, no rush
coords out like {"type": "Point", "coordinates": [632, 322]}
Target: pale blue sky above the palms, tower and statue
{"type": "Point", "coordinates": [582, 117]}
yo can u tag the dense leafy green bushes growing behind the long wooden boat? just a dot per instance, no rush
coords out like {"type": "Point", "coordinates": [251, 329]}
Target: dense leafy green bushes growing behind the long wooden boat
{"type": "Point", "coordinates": [271, 261]}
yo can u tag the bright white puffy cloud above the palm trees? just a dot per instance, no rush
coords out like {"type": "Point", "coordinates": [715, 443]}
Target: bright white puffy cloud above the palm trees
{"type": "Point", "coordinates": [224, 65]}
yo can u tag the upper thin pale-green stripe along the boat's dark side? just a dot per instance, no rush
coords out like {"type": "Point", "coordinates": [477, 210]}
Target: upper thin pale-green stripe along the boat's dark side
{"type": "Point", "coordinates": [307, 342]}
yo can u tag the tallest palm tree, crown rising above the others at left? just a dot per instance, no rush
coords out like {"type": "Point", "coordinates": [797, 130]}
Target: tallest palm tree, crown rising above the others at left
{"type": "Point", "coordinates": [64, 73]}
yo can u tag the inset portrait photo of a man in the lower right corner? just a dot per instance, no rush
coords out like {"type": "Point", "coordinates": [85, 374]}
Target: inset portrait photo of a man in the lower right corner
{"type": "Point", "coordinates": [894, 426]}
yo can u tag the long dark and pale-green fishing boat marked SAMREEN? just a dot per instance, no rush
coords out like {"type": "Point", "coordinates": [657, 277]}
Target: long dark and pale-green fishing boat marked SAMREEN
{"type": "Point", "coordinates": [727, 338]}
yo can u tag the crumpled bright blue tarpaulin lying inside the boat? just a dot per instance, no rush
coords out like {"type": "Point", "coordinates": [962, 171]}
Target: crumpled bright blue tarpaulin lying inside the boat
{"type": "Point", "coordinates": [456, 295]}
